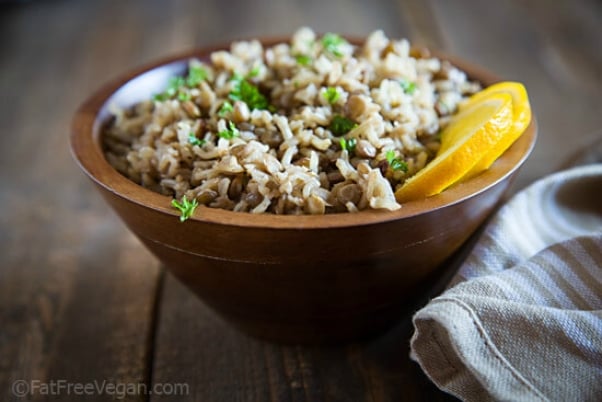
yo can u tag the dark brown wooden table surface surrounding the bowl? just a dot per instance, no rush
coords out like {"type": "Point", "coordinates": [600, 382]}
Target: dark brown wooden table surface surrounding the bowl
{"type": "Point", "coordinates": [81, 300]}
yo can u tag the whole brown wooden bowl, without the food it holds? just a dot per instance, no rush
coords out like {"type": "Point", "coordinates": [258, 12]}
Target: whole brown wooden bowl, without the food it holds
{"type": "Point", "coordinates": [307, 279]}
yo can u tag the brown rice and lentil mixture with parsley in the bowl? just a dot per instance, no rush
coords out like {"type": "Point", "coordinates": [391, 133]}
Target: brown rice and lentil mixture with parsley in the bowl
{"type": "Point", "coordinates": [313, 126]}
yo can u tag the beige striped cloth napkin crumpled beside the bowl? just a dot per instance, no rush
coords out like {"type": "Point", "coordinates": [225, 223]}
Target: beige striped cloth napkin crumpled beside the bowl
{"type": "Point", "coordinates": [522, 319]}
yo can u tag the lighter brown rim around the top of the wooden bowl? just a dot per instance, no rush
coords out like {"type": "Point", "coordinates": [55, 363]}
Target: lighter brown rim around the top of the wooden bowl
{"type": "Point", "coordinates": [86, 149]}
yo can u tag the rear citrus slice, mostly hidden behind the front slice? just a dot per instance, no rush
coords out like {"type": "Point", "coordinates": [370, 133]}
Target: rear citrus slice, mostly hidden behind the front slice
{"type": "Point", "coordinates": [521, 111]}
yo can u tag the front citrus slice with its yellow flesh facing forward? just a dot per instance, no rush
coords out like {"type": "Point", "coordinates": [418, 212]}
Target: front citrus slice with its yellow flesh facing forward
{"type": "Point", "coordinates": [471, 134]}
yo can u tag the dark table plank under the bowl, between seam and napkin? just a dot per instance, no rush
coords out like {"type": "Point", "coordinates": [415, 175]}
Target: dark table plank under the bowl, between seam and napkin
{"type": "Point", "coordinates": [195, 347]}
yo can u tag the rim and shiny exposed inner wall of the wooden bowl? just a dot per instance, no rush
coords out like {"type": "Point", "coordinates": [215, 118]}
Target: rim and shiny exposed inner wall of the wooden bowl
{"type": "Point", "coordinates": [142, 83]}
